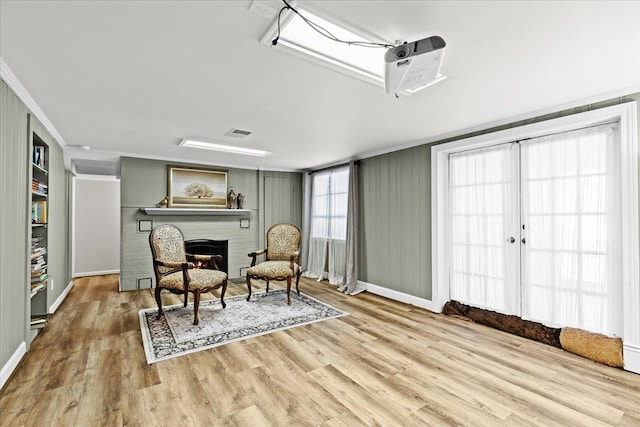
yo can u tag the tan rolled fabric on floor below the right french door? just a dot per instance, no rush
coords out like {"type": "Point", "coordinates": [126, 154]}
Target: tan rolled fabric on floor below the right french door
{"type": "Point", "coordinates": [597, 347]}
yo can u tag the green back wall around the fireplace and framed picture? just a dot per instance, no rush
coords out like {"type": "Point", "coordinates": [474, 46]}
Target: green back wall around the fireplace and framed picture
{"type": "Point", "coordinates": [271, 197]}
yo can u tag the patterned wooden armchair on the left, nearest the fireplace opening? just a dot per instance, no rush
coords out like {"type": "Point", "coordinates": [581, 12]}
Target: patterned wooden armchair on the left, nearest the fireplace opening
{"type": "Point", "coordinates": [175, 274]}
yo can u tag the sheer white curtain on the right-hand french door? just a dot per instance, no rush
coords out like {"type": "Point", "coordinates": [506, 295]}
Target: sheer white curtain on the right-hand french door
{"type": "Point", "coordinates": [571, 210]}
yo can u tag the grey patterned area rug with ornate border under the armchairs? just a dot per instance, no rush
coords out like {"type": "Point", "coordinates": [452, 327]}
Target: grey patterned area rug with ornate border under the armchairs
{"type": "Point", "coordinates": [175, 335]}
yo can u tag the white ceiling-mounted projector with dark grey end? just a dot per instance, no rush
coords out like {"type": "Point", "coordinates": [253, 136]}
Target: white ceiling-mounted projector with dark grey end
{"type": "Point", "coordinates": [412, 65]}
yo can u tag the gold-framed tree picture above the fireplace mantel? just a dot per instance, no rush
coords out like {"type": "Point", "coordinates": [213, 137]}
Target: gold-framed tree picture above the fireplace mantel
{"type": "Point", "coordinates": [196, 188]}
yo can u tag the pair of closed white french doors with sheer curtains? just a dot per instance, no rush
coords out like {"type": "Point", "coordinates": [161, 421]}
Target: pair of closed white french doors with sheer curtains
{"type": "Point", "coordinates": [535, 229]}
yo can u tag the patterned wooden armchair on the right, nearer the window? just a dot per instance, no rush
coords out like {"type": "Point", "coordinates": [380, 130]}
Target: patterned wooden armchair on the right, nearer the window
{"type": "Point", "coordinates": [281, 258]}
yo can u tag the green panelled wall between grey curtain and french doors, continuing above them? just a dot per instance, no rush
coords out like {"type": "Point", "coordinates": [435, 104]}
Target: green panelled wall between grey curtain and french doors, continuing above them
{"type": "Point", "coordinates": [395, 214]}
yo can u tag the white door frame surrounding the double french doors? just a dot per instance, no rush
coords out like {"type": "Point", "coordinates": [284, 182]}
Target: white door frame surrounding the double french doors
{"type": "Point", "coordinates": [626, 115]}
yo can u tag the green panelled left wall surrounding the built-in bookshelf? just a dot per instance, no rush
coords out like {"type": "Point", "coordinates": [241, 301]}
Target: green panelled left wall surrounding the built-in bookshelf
{"type": "Point", "coordinates": [15, 303]}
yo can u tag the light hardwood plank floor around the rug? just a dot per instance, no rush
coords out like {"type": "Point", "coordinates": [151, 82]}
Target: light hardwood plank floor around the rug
{"type": "Point", "coordinates": [386, 364]}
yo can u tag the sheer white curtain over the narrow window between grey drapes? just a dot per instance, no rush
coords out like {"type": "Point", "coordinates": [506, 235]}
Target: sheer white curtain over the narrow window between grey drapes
{"type": "Point", "coordinates": [327, 243]}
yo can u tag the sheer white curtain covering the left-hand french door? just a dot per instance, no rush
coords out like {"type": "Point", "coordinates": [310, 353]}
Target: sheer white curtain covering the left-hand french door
{"type": "Point", "coordinates": [484, 228]}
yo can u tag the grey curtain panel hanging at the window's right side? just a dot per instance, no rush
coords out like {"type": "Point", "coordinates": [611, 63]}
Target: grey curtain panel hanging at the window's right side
{"type": "Point", "coordinates": [351, 261]}
